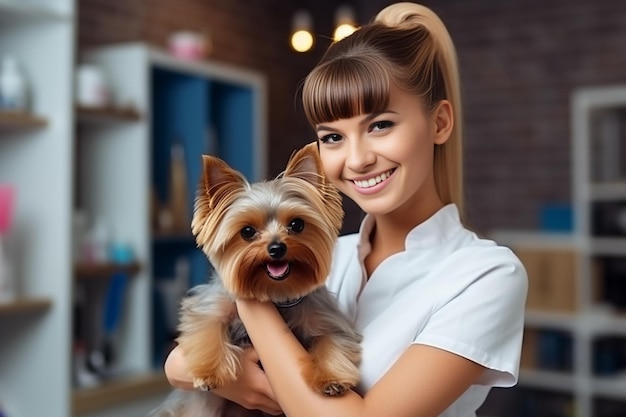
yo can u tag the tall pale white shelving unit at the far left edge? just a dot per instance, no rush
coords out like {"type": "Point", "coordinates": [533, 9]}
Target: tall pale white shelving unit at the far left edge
{"type": "Point", "coordinates": [36, 158]}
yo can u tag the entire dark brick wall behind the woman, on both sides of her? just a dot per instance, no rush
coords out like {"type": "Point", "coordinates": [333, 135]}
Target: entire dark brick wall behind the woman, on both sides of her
{"type": "Point", "coordinates": [520, 61]}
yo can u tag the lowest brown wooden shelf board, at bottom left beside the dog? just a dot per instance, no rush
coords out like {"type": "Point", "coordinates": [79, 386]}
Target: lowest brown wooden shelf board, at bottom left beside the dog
{"type": "Point", "coordinates": [116, 392]}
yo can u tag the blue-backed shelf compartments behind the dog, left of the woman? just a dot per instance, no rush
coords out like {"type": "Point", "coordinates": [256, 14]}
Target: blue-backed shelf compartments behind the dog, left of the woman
{"type": "Point", "coordinates": [205, 115]}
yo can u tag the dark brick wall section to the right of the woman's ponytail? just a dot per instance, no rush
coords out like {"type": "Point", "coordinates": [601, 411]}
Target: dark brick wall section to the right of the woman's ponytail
{"type": "Point", "coordinates": [520, 61]}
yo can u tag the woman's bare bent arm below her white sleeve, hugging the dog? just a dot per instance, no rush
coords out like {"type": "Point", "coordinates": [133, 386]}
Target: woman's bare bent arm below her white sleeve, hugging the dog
{"type": "Point", "coordinates": [423, 382]}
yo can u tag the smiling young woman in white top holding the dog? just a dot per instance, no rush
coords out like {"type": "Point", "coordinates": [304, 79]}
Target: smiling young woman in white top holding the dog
{"type": "Point", "coordinates": [441, 310]}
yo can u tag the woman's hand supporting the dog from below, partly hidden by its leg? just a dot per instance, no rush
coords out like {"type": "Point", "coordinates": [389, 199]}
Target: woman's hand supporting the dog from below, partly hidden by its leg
{"type": "Point", "coordinates": [251, 389]}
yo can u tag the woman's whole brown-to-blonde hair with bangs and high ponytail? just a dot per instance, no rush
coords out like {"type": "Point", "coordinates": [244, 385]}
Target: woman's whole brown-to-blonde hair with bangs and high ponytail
{"type": "Point", "coordinates": [406, 45]}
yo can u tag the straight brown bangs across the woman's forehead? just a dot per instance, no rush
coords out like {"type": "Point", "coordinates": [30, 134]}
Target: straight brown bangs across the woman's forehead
{"type": "Point", "coordinates": [344, 88]}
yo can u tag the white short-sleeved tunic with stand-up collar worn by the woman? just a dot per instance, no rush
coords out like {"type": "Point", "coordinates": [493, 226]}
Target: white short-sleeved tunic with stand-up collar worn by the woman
{"type": "Point", "coordinates": [449, 289]}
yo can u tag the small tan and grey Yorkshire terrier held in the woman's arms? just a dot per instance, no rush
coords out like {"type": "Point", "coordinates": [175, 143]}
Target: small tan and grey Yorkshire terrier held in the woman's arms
{"type": "Point", "coordinates": [272, 241]}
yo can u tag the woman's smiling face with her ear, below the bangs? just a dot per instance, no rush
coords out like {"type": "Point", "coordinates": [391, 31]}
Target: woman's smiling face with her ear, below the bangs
{"type": "Point", "coordinates": [383, 161]}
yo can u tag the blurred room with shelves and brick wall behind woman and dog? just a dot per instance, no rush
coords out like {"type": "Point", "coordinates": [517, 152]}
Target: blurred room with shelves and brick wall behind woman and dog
{"type": "Point", "coordinates": [106, 105]}
